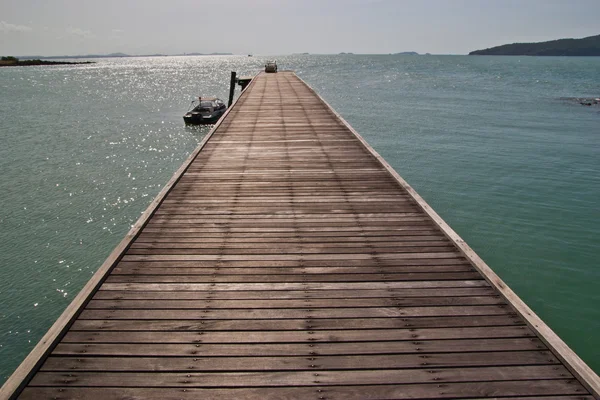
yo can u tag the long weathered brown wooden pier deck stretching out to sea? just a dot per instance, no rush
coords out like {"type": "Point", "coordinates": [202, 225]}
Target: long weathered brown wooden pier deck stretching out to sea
{"type": "Point", "coordinates": [287, 261]}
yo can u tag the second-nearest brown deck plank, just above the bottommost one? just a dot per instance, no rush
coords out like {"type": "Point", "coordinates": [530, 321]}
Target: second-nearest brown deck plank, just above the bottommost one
{"type": "Point", "coordinates": [299, 378]}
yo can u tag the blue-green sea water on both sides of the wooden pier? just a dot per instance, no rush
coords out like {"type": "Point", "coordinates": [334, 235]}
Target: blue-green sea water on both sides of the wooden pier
{"type": "Point", "coordinates": [490, 142]}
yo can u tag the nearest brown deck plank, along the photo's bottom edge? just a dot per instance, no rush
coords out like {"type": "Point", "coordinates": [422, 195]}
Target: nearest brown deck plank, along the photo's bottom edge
{"type": "Point", "coordinates": [567, 389]}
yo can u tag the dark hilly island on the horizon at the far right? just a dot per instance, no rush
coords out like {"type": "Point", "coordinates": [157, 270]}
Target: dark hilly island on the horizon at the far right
{"type": "Point", "coordinates": [589, 46]}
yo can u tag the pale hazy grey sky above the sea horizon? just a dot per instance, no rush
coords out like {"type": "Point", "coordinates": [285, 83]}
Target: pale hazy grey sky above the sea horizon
{"type": "Point", "coordinates": [271, 27]}
